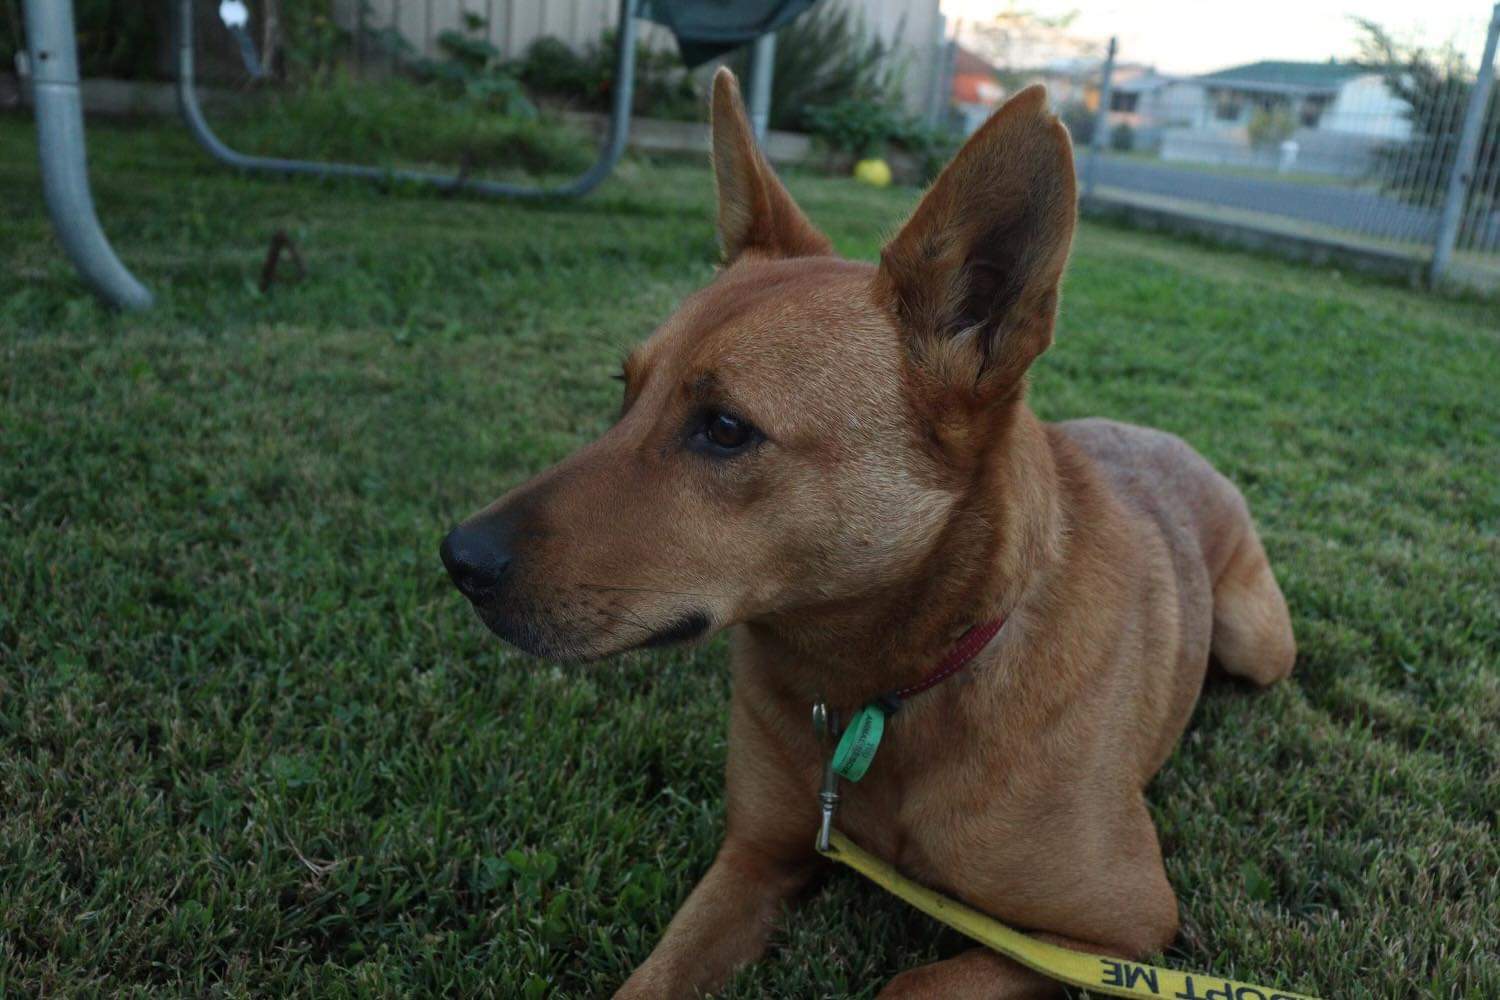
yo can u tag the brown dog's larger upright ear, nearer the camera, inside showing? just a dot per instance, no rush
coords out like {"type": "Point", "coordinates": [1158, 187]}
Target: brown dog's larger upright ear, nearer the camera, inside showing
{"type": "Point", "coordinates": [973, 277]}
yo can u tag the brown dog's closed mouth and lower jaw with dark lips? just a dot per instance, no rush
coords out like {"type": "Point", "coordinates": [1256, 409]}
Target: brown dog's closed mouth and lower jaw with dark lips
{"type": "Point", "coordinates": [607, 635]}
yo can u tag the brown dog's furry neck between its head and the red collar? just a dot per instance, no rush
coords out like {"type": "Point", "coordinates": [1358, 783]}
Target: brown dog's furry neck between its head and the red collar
{"type": "Point", "coordinates": [1000, 542]}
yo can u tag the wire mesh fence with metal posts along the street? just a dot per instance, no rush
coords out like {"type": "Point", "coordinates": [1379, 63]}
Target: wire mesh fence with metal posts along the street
{"type": "Point", "coordinates": [1396, 158]}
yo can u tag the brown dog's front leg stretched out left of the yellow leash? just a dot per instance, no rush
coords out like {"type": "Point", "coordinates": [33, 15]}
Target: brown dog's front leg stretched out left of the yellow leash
{"type": "Point", "coordinates": [724, 924]}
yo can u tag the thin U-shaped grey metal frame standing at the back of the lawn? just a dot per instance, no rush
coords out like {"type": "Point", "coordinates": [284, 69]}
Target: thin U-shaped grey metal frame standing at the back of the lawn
{"type": "Point", "coordinates": [610, 155]}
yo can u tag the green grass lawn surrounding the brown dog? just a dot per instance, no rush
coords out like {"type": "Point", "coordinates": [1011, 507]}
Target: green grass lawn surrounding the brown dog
{"type": "Point", "coordinates": [253, 743]}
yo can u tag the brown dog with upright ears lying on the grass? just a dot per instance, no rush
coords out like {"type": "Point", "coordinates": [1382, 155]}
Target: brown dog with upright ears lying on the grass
{"type": "Point", "coordinates": [838, 461]}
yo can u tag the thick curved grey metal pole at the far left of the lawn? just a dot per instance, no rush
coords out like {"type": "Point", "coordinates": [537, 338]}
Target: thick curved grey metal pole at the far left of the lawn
{"type": "Point", "coordinates": [53, 53]}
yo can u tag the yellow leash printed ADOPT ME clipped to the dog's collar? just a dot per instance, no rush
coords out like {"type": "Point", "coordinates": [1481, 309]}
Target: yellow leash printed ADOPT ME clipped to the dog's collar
{"type": "Point", "coordinates": [1093, 972]}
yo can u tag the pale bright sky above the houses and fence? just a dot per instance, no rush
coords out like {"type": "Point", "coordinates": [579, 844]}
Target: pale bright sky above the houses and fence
{"type": "Point", "coordinates": [1198, 37]}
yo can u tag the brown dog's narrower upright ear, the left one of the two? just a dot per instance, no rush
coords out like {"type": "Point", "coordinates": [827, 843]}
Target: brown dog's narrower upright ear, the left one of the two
{"type": "Point", "coordinates": [755, 212]}
